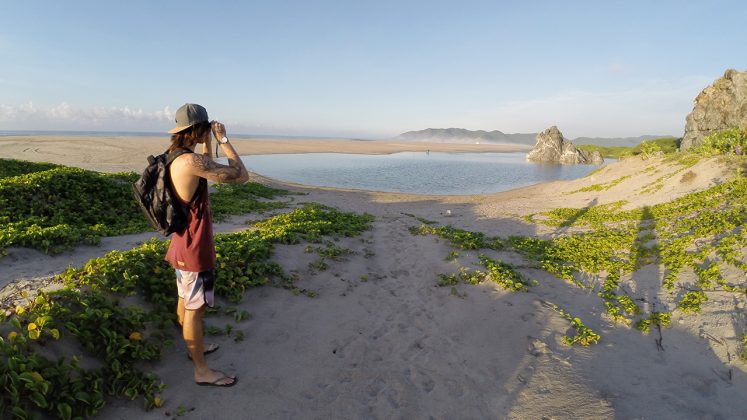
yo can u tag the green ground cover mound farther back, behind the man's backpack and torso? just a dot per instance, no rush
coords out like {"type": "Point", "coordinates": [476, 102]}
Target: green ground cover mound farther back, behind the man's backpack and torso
{"type": "Point", "coordinates": [53, 208]}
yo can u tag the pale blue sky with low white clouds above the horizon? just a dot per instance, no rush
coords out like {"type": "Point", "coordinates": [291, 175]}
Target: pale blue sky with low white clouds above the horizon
{"type": "Point", "coordinates": [366, 69]}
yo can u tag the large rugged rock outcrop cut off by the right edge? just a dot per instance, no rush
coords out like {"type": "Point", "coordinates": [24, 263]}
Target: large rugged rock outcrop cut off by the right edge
{"type": "Point", "coordinates": [721, 106]}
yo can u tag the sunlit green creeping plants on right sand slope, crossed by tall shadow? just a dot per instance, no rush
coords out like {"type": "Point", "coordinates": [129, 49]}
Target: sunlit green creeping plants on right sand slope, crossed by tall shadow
{"type": "Point", "coordinates": [697, 231]}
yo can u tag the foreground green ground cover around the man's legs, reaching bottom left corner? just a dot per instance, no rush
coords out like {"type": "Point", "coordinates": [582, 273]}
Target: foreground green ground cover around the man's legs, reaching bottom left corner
{"type": "Point", "coordinates": [94, 313]}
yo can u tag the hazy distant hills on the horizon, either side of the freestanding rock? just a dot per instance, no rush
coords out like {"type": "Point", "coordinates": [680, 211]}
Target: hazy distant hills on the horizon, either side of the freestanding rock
{"type": "Point", "coordinates": [461, 135]}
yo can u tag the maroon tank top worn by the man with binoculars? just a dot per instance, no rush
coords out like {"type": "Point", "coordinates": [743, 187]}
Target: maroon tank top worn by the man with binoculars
{"type": "Point", "coordinates": [194, 248]}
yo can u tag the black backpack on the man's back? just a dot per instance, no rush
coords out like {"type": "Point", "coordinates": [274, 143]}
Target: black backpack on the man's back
{"type": "Point", "coordinates": [159, 203]}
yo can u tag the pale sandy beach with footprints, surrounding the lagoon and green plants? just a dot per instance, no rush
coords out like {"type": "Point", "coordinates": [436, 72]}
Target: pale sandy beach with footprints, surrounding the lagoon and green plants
{"type": "Point", "coordinates": [396, 346]}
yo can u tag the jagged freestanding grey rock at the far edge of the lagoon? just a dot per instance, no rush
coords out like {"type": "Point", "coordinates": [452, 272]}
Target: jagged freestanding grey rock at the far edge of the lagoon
{"type": "Point", "coordinates": [551, 147]}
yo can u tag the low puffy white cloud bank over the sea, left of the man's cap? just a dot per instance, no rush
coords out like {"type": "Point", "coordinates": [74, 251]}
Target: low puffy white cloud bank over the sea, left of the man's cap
{"type": "Point", "coordinates": [67, 117]}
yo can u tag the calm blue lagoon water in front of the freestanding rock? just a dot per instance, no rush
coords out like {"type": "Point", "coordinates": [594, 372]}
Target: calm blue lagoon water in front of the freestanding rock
{"type": "Point", "coordinates": [413, 172]}
